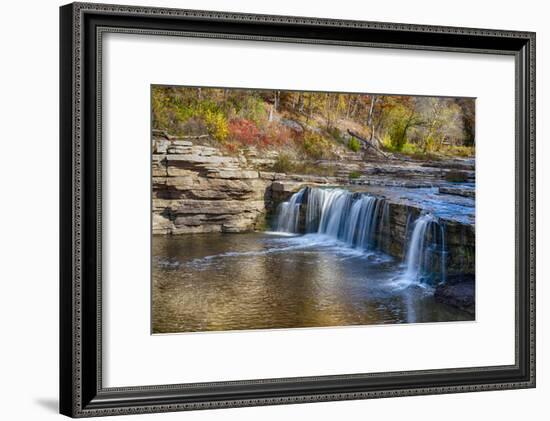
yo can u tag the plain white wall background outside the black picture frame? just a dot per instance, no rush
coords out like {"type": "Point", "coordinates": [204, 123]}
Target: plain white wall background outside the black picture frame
{"type": "Point", "coordinates": [29, 211]}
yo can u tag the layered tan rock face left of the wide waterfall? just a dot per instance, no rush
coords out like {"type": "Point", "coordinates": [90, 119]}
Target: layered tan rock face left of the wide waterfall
{"type": "Point", "coordinates": [197, 190]}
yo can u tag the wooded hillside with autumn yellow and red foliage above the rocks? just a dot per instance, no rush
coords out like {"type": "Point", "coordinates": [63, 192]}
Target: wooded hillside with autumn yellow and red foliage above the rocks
{"type": "Point", "coordinates": [317, 125]}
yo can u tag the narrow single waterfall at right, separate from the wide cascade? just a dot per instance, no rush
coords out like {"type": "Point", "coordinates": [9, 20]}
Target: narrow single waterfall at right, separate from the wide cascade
{"type": "Point", "coordinates": [426, 252]}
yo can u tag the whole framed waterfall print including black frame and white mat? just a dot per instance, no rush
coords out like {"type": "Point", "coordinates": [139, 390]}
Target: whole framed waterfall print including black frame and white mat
{"type": "Point", "coordinates": [263, 210]}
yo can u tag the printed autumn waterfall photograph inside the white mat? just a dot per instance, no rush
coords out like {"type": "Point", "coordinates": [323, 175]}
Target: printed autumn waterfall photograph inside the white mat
{"type": "Point", "coordinates": [279, 209]}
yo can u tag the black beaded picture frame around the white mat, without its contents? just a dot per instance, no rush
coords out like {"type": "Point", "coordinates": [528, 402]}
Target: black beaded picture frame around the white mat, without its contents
{"type": "Point", "coordinates": [81, 390]}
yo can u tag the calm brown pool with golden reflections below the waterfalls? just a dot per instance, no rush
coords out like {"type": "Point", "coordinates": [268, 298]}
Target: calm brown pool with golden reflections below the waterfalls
{"type": "Point", "coordinates": [212, 282]}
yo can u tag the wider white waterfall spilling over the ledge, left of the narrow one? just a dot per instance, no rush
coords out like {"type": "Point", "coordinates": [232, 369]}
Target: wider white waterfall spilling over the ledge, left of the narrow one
{"type": "Point", "coordinates": [358, 219]}
